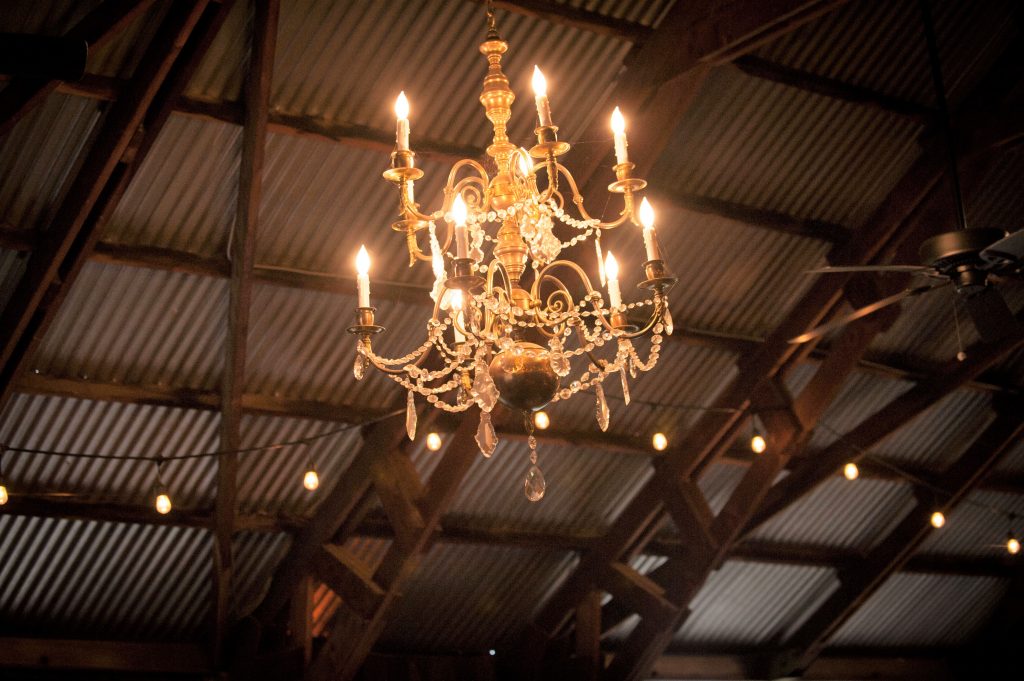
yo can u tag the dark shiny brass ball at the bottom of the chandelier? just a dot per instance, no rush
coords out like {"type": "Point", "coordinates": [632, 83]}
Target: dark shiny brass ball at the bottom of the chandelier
{"type": "Point", "coordinates": [525, 378]}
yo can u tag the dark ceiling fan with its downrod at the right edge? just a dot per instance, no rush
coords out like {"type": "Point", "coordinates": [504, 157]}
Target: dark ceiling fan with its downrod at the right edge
{"type": "Point", "coordinates": [974, 261]}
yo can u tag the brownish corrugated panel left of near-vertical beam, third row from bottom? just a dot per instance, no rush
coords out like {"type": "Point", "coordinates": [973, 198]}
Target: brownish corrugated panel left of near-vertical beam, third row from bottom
{"type": "Point", "coordinates": [135, 326]}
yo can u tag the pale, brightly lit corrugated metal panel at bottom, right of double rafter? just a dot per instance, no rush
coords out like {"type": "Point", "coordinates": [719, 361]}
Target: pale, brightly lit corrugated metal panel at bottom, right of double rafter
{"type": "Point", "coordinates": [754, 605]}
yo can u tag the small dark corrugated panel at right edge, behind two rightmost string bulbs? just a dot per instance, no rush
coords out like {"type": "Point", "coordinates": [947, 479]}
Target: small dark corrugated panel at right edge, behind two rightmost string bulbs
{"type": "Point", "coordinates": [978, 526]}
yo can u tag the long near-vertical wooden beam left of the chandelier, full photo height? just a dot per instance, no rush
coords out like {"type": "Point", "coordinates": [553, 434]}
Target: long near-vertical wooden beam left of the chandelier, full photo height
{"type": "Point", "coordinates": [257, 103]}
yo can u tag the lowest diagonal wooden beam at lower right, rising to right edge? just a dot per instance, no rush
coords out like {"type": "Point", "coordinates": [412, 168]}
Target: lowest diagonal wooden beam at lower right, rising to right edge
{"type": "Point", "coordinates": [860, 583]}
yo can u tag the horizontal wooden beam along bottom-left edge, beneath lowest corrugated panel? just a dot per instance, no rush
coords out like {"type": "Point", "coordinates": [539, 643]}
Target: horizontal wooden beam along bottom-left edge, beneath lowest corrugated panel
{"type": "Point", "coordinates": [131, 657]}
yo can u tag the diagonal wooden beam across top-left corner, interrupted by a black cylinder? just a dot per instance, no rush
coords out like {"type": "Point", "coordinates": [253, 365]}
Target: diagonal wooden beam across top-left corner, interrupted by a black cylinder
{"type": "Point", "coordinates": [96, 29]}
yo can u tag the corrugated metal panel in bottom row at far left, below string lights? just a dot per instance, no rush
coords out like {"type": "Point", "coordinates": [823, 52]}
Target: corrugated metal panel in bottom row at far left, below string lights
{"type": "Point", "coordinates": [103, 580]}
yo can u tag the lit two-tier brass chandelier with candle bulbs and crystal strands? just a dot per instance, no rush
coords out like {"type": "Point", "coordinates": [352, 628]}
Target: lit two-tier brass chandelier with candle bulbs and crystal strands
{"type": "Point", "coordinates": [525, 325]}
